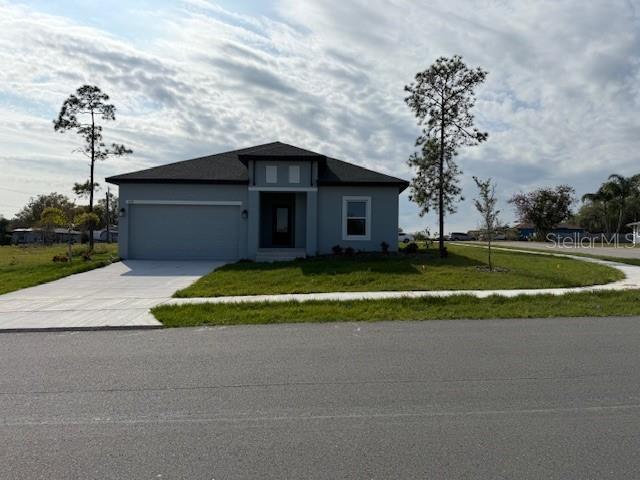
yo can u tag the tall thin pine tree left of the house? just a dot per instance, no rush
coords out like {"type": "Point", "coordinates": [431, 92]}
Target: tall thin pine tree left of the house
{"type": "Point", "coordinates": [81, 113]}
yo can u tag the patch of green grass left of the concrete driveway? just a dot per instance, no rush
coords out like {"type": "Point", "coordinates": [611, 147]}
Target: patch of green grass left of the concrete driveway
{"type": "Point", "coordinates": [26, 266]}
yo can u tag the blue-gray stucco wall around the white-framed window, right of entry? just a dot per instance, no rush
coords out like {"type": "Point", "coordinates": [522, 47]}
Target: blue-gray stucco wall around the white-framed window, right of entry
{"type": "Point", "coordinates": [384, 217]}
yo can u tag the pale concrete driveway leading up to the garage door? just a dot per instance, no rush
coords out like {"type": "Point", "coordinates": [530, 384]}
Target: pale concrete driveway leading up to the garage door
{"type": "Point", "coordinates": [119, 295]}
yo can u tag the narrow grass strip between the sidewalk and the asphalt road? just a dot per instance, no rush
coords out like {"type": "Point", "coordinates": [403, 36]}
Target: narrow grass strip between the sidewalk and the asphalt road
{"type": "Point", "coordinates": [456, 307]}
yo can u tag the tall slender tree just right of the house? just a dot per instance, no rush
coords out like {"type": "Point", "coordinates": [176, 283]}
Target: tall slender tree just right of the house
{"type": "Point", "coordinates": [441, 98]}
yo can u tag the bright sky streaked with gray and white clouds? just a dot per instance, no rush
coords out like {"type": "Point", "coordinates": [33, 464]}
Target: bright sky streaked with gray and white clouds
{"type": "Point", "coordinates": [195, 77]}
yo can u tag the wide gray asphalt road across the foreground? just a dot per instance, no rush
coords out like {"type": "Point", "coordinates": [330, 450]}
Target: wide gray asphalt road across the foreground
{"type": "Point", "coordinates": [456, 399]}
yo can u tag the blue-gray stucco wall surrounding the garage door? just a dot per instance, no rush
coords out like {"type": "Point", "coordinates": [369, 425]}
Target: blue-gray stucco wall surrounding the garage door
{"type": "Point", "coordinates": [169, 191]}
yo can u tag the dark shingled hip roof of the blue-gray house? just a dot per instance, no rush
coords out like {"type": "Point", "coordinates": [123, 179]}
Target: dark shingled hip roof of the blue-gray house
{"type": "Point", "coordinates": [232, 168]}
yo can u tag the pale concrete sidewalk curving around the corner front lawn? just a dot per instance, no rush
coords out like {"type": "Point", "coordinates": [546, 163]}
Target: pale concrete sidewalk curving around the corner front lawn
{"type": "Point", "coordinates": [631, 282]}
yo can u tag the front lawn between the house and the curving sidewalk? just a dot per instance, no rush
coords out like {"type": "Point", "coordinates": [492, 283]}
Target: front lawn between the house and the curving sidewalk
{"type": "Point", "coordinates": [424, 271]}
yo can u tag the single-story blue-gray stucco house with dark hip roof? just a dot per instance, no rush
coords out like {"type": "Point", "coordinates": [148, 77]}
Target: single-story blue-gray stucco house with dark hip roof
{"type": "Point", "coordinates": [273, 201]}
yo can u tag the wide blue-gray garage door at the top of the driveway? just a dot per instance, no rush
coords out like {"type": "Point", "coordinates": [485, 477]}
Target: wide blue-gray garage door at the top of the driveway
{"type": "Point", "coordinates": [177, 232]}
